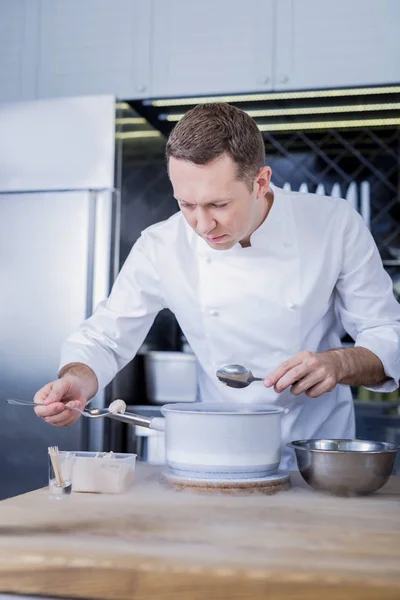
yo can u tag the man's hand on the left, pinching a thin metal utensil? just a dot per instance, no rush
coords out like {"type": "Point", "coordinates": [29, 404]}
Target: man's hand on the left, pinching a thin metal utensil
{"type": "Point", "coordinates": [56, 396]}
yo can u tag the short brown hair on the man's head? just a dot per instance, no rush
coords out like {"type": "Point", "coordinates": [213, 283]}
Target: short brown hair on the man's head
{"type": "Point", "coordinates": [209, 130]}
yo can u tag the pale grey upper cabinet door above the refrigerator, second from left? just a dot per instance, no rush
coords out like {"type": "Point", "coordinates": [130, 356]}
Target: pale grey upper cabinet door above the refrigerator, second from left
{"type": "Point", "coordinates": [94, 47]}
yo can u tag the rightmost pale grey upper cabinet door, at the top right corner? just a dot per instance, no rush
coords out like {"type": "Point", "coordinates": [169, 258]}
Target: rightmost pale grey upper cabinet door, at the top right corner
{"type": "Point", "coordinates": [340, 43]}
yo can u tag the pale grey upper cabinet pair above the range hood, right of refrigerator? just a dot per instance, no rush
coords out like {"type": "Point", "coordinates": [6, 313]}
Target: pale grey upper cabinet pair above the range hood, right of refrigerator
{"type": "Point", "coordinates": [230, 47]}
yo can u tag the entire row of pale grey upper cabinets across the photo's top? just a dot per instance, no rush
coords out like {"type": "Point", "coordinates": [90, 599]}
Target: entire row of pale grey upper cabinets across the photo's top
{"type": "Point", "coordinates": [155, 48]}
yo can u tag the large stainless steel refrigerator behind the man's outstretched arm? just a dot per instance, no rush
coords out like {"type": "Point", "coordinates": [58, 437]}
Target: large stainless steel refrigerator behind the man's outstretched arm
{"type": "Point", "coordinates": [59, 212]}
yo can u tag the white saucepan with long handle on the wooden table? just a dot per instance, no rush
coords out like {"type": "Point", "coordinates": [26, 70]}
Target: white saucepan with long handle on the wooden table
{"type": "Point", "coordinates": [218, 439]}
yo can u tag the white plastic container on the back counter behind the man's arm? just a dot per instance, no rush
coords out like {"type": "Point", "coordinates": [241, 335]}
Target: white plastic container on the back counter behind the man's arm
{"type": "Point", "coordinates": [171, 377]}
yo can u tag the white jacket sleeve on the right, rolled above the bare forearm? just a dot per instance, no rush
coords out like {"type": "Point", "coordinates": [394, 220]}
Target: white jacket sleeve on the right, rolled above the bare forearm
{"type": "Point", "coordinates": [365, 301]}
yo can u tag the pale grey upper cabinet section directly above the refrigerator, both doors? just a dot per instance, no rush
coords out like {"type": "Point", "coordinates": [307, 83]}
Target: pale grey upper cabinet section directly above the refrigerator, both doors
{"type": "Point", "coordinates": [52, 48]}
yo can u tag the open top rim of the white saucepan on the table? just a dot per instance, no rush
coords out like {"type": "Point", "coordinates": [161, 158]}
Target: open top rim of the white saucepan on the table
{"type": "Point", "coordinates": [222, 408]}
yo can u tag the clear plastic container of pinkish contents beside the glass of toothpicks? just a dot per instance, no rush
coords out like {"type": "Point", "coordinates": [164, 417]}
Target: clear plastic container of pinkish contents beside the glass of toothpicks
{"type": "Point", "coordinates": [103, 472]}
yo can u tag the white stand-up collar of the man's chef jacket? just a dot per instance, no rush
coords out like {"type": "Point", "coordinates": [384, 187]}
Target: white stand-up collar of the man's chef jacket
{"type": "Point", "coordinates": [270, 233]}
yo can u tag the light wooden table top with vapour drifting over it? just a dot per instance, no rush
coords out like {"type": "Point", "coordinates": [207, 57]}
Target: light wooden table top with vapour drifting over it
{"type": "Point", "coordinates": [159, 543]}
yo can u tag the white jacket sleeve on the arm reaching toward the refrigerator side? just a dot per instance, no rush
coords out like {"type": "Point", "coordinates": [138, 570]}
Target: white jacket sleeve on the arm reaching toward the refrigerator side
{"type": "Point", "coordinates": [110, 338]}
